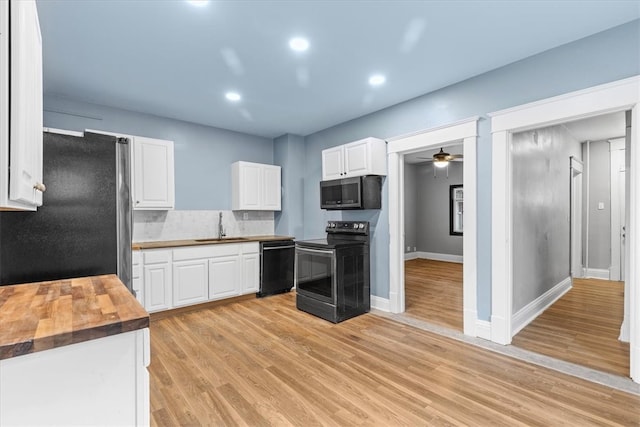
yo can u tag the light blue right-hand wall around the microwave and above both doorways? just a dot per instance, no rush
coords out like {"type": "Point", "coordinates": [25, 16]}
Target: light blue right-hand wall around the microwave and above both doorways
{"type": "Point", "coordinates": [602, 58]}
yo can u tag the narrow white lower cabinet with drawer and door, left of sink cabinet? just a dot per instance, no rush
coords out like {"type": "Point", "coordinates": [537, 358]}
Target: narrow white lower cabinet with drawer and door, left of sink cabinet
{"type": "Point", "coordinates": [157, 280]}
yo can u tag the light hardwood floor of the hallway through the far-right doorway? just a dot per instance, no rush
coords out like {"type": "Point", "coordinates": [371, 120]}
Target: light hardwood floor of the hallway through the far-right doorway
{"type": "Point", "coordinates": [582, 327]}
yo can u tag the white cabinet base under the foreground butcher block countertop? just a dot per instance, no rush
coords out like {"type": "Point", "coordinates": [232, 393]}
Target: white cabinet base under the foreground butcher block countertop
{"type": "Point", "coordinates": [103, 382]}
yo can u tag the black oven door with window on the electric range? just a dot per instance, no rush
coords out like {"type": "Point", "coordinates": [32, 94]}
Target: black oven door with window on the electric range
{"type": "Point", "coordinates": [316, 273]}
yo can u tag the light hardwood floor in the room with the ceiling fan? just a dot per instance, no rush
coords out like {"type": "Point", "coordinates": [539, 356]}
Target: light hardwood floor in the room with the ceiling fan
{"type": "Point", "coordinates": [433, 292]}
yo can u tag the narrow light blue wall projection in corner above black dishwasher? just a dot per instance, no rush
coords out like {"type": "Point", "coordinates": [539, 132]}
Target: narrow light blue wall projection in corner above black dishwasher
{"type": "Point", "coordinates": [289, 150]}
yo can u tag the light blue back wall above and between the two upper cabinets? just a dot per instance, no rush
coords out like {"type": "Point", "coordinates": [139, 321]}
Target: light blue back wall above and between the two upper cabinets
{"type": "Point", "coordinates": [203, 154]}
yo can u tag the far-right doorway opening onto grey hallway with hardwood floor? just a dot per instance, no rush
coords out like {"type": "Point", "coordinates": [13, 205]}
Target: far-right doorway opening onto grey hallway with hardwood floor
{"type": "Point", "coordinates": [582, 325]}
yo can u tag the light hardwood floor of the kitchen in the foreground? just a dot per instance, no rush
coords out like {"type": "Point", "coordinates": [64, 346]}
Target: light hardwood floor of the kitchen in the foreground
{"type": "Point", "coordinates": [263, 362]}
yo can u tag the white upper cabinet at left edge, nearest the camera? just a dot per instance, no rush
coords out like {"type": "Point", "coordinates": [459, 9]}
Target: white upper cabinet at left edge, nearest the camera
{"type": "Point", "coordinates": [21, 184]}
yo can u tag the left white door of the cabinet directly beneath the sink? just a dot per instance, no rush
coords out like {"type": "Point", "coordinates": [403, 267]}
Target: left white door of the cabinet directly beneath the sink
{"type": "Point", "coordinates": [190, 282]}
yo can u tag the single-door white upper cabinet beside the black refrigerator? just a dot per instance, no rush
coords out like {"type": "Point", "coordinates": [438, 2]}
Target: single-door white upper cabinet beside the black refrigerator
{"type": "Point", "coordinates": [153, 174]}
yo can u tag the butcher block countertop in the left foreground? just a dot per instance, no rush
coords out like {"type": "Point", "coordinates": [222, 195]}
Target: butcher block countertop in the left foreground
{"type": "Point", "coordinates": [45, 315]}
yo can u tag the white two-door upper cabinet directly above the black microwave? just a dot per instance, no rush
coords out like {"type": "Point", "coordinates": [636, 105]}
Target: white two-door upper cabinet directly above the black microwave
{"type": "Point", "coordinates": [364, 157]}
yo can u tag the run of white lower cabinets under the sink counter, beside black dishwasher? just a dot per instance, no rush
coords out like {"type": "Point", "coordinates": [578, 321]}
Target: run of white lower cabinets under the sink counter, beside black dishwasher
{"type": "Point", "coordinates": [190, 275]}
